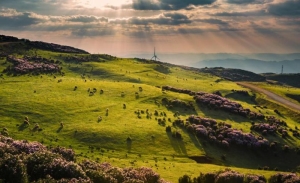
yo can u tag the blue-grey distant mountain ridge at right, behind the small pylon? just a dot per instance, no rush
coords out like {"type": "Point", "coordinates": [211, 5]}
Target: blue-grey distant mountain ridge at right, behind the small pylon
{"type": "Point", "coordinates": [253, 65]}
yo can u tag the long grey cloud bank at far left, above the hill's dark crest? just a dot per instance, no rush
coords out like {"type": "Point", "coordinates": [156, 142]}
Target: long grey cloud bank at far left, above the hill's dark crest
{"type": "Point", "coordinates": [11, 19]}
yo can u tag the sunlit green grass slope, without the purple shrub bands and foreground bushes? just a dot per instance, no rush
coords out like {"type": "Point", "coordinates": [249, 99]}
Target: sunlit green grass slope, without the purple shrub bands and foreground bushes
{"type": "Point", "coordinates": [111, 109]}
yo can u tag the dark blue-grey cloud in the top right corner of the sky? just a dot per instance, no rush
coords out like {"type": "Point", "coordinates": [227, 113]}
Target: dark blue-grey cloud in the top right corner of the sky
{"type": "Point", "coordinates": [287, 8]}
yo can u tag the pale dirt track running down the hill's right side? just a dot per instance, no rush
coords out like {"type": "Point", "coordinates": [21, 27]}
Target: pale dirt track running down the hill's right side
{"type": "Point", "coordinates": [272, 96]}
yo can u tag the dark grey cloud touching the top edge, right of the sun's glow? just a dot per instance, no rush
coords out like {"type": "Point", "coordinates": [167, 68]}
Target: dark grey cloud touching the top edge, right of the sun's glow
{"type": "Point", "coordinates": [168, 4]}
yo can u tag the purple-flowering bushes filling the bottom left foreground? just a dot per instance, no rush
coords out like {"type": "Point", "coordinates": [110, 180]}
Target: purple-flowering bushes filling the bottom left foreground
{"type": "Point", "coordinates": [24, 161]}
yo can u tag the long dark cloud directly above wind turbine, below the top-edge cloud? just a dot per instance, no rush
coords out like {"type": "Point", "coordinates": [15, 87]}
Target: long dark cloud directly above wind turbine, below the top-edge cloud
{"type": "Point", "coordinates": [164, 19]}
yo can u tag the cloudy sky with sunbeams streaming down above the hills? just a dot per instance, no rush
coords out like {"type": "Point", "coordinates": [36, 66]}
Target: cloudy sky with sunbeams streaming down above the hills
{"type": "Point", "coordinates": [129, 27]}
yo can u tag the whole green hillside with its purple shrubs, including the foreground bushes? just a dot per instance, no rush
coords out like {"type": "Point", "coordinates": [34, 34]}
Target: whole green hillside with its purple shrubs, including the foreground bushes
{"type": "Point", "coordinates": [135, 113]}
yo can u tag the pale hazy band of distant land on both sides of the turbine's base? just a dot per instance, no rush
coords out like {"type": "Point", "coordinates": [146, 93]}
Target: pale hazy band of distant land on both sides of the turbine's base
{"type": "Point", "coordinates": [258, 63]}
